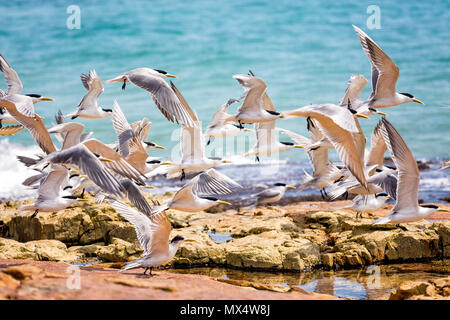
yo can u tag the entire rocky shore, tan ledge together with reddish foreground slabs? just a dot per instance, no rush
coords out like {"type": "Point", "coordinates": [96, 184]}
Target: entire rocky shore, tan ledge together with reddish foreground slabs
{"type": "Point", "coordinates": [296, 237]}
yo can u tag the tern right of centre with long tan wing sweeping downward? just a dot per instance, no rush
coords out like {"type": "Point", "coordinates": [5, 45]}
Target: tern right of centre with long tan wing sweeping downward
{"type": "Point", "coordinates": [337, 124]}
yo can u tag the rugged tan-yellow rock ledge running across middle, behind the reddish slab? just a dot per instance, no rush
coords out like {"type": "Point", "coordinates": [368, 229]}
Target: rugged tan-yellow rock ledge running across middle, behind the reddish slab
{"type": "Point", "coordinates": [294, 237]}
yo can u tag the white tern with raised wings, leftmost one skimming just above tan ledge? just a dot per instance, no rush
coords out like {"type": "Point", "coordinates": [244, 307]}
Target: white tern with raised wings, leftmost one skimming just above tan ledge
{"type": "Point", "coordinates": [51, 196]}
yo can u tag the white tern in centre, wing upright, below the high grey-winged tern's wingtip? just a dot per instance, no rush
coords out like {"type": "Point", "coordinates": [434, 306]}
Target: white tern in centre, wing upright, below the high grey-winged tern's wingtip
{"type": "Point", "coordinates": [192, 146]}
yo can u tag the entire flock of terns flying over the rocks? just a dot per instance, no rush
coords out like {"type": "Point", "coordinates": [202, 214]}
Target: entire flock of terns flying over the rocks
{"type": "Point", "coordinates": [120, 170]}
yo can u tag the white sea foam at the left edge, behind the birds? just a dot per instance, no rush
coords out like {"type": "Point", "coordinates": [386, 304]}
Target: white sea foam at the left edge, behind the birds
{"type": "Point", "coordinates": [13, 172]}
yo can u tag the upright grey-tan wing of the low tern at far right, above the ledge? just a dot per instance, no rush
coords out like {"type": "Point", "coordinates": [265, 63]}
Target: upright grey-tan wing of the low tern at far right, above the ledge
{"type": "Point", "coordinates": [408, 172]}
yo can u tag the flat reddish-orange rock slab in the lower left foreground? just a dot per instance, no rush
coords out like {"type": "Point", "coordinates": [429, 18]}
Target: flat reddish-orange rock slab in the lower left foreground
{"type": "Point", "coordinates": [27, 279]}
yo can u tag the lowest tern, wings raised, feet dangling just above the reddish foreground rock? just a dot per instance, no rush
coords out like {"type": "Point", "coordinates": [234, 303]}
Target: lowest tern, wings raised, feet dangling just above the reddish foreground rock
{"type": "Point", "coordinates": [153, 234]}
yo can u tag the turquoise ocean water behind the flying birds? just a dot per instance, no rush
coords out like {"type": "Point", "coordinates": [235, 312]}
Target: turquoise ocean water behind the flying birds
{"type": "Point", "coordinates": [305, 51]}
